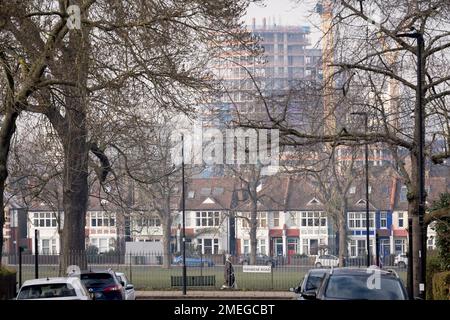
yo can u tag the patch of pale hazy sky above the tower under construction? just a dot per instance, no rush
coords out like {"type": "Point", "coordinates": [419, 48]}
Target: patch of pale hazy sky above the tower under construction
{"type": "Point", "coordinates": [286, 12]}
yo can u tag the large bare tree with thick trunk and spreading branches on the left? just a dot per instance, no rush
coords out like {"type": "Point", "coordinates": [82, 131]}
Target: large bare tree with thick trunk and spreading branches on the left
{"type": "Point", "coordinates": [120, 45]}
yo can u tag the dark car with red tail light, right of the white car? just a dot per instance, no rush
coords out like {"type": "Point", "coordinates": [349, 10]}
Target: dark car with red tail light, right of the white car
{"type": "Point", "coordinates": [103, 285]}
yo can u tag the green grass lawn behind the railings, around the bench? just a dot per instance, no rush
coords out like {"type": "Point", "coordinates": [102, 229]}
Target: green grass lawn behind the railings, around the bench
{"type": "Point", "coordinates": [157, 278]}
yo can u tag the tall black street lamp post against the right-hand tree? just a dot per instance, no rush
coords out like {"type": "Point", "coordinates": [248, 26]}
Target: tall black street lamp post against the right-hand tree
{"type": "Point", "coordinates": [419, 138]}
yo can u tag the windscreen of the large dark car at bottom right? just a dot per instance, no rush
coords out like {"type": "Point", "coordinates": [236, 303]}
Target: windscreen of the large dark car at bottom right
{"type": "Point", "coordinates": [357, 287]}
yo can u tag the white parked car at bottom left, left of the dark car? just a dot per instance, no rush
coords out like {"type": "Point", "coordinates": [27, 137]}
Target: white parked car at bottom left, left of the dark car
{"type": "Point", "coordinates": [68, 288]}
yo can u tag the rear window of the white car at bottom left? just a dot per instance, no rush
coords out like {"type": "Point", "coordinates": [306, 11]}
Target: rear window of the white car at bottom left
{"type": "Point", "coordinates": [41, 291]}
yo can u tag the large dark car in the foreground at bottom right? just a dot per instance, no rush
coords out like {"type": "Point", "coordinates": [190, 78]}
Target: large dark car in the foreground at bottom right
{"type": "Point", "coordinates": [353, 284]}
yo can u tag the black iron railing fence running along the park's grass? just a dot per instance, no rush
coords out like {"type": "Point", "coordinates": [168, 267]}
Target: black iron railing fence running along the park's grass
{"type": "Point", "coordinates": [147, 272]}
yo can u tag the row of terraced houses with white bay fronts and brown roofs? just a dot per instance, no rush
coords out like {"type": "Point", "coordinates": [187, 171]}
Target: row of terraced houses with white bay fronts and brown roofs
{"type": "Point", "coordinates": [292, 219]}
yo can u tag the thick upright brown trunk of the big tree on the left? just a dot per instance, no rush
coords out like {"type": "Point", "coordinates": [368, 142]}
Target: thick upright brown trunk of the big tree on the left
{"type": "Point", "coordinates": [74, 136]}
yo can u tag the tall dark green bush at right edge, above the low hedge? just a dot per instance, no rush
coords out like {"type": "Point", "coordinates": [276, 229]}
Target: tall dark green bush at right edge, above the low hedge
{"type": "Point", "coordinates": [442, 227]}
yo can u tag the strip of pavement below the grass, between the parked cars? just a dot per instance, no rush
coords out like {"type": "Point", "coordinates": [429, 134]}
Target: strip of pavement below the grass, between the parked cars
{"type": "Point", "coordinates": [219, 295]}
